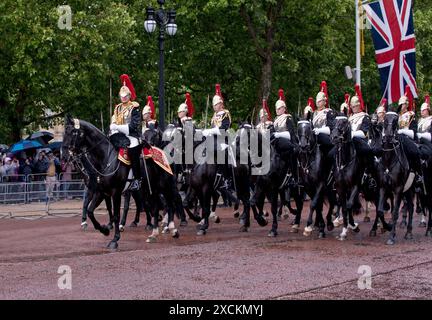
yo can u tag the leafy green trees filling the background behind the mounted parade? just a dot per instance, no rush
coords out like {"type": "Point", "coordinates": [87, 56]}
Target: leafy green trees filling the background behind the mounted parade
{"type": "Point", "coordinates": [252, 48]}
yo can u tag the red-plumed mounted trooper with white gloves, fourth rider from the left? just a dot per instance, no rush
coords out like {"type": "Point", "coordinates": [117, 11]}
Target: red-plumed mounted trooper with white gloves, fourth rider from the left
{"type": "Point", "coordinates": [220, 122]}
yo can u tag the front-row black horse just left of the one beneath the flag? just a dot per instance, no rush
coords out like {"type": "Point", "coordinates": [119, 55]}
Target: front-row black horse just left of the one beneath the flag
{"type": "Point", "coordinates": [348, 171]}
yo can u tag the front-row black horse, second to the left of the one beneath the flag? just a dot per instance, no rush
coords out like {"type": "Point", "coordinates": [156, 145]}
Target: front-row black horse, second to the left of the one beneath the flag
{"type": "Point", "coordinates": [314, 172]}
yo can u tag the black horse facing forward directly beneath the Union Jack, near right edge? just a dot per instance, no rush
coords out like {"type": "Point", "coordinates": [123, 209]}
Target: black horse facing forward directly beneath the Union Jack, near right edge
{"type": "Point", "coordinates": [393, 175]}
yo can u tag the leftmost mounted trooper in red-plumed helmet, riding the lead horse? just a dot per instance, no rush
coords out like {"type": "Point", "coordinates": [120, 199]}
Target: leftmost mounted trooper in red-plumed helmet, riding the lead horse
{"type": "Point", "coordinates": [127, 120]}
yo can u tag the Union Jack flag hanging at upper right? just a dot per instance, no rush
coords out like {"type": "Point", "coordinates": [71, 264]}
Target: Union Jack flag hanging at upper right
{"type": "Point", "coordinates": [394, 41]}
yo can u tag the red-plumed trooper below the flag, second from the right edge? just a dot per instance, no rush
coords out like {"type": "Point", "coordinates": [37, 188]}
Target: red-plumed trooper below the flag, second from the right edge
{"type": "Point", "coordinates": [407, 131]}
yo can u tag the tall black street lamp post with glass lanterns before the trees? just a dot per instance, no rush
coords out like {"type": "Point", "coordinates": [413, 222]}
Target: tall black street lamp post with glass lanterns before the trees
{"type": "Point", "coordinates": [165, 20]}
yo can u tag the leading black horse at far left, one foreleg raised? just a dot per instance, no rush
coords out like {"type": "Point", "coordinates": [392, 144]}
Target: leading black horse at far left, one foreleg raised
{"type": "Point", "coordinates": [83, 140]}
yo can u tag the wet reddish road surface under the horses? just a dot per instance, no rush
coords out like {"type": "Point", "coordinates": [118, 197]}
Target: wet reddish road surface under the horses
{"type": "Point", "coordinates": [224, 264]}
